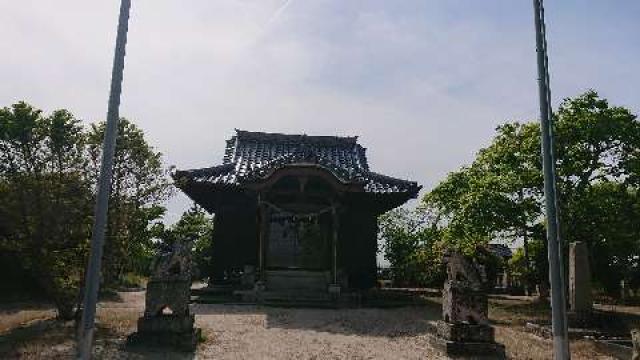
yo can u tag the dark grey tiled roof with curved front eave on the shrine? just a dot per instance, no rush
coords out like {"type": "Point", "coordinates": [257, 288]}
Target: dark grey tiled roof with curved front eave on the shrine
{"type": "Point", "coordinates": [250, 156]}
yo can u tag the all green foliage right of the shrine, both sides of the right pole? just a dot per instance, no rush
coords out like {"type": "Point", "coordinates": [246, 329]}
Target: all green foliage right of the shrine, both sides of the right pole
{"type": "Point", "coordinates": [500, 193]}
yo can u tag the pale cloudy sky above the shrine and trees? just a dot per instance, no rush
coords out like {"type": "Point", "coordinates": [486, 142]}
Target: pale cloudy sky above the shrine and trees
{"type": "Point", "coordinates": [423, 83]}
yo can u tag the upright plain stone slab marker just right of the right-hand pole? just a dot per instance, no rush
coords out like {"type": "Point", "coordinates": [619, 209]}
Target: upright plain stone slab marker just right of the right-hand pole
{"type": "Point", "coordinates": [580, 299]}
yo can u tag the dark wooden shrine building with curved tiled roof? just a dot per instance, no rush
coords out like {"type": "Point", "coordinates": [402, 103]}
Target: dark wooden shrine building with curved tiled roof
{"type": "Point", "coordinates": [295, 212]}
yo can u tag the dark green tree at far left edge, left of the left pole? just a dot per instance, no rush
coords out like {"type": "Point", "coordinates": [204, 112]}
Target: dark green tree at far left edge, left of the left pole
{"type": "Point", "coordinates": [45, 199]}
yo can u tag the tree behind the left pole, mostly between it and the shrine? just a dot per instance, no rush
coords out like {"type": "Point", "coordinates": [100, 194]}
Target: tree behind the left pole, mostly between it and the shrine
{"type": "Point", "coordinates": [139, 189]}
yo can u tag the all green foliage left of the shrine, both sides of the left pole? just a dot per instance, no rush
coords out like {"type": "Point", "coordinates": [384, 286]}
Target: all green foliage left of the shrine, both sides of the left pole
{"type": "Point", "coordinates": [48, 175]}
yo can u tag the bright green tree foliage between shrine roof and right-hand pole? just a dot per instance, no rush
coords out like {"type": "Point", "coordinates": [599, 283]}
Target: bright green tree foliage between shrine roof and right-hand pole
{"type": "Point", "coordinates": [501, 192]}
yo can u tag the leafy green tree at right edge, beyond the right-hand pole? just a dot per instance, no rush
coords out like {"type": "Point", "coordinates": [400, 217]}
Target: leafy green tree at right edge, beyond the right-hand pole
{"type": "Point", "coordinates": [599, 152]}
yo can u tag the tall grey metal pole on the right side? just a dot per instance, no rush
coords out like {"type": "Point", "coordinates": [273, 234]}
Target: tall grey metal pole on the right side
{"type": "Point", "coordinates": [558, 304]}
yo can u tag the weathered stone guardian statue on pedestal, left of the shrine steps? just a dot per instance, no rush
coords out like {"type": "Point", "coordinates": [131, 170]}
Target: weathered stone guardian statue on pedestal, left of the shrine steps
{"type": "Point", "coordinates": [167, 320]}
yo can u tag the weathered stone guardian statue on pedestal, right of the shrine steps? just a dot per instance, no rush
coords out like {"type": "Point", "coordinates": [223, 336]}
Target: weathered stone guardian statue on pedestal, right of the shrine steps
{"type": "Point", "coordinates": [465, 328]}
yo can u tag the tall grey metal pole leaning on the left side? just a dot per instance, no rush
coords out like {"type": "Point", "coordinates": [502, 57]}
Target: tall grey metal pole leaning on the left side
{"type": "Point", "coordinates": [92, 276]}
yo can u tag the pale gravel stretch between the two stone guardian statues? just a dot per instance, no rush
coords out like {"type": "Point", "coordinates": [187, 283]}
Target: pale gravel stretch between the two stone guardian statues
{"type": "Point", "coordinates": [249, 332]}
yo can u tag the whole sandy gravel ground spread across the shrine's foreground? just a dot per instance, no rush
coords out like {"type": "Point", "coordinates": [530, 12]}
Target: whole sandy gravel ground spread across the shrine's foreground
{"type": "Point", "coordinates": [28, 331]}
